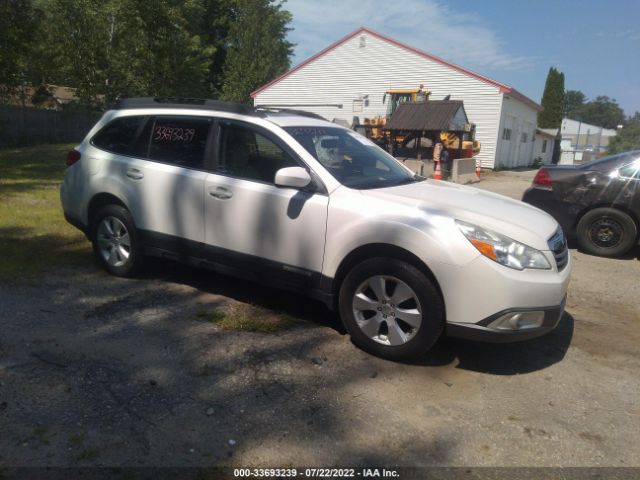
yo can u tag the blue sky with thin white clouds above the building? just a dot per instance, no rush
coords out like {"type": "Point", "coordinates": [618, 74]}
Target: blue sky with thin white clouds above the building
{"type": "Point", "coordinates": [596, 44]}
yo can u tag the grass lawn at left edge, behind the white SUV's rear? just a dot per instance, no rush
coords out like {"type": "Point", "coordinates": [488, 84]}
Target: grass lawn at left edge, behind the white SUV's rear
{"type": "Point", "coordinates": [34, 236]}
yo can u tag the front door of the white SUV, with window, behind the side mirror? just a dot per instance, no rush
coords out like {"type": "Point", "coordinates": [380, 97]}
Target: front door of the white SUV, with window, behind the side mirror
{"type": "Point", "coordinates": [278, 233]}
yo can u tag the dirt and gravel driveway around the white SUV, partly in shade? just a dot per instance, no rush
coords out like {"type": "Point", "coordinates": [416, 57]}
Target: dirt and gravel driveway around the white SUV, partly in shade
{"type": "Point", "coordinates": [96, 370]}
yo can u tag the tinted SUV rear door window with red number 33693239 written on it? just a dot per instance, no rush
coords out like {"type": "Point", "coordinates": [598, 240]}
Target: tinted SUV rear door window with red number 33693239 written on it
{"type": "Point", "coordinates": [179, 141]}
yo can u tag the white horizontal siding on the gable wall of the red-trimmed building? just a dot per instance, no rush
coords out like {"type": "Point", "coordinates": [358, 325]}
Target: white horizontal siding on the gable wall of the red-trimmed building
{"type": "Point", "coordinates": [365, 69]}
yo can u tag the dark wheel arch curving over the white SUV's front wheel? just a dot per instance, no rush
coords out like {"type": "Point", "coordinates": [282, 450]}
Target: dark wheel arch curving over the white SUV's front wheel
{"type": "Point", "coordinates": [385, 250]}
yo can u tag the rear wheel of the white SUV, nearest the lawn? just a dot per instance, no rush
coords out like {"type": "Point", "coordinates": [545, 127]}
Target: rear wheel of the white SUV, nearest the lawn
{"type": "Point", "coordinates": [115, 241]}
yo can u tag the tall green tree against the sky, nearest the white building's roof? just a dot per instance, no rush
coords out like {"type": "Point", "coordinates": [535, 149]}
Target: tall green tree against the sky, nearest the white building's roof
{"type": "Point", "coordinates": [258, 50]}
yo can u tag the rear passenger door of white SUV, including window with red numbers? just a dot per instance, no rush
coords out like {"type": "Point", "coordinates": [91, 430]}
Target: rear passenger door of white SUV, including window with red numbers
{"type": "Point", "coordinates": [163, 177]}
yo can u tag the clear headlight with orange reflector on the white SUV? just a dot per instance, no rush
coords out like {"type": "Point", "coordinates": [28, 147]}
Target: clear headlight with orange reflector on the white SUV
{"type": "Point", "coordinates": [503, 249]}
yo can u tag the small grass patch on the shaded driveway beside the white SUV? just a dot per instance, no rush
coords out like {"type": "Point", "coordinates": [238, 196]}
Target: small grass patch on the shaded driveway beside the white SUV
{"type": "Point", "coordinates": [245, 317]}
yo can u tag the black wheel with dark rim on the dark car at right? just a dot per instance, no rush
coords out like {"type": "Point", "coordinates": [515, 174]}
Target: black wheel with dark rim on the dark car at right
{"type": "Point", "coordinates": [606, 232]}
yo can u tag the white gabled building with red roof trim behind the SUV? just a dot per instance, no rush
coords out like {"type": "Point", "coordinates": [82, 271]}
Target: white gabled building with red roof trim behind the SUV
{"type": "Point", "coordinates": [348, 79]}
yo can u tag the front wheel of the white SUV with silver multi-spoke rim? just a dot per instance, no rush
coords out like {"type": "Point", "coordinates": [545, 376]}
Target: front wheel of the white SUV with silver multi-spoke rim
{"type": "Point", "coordinates": [391, 309]}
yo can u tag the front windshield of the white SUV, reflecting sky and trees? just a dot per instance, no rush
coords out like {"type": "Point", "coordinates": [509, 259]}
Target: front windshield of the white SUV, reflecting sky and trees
{"type": "Point", "coordinates": [352, 159]}
